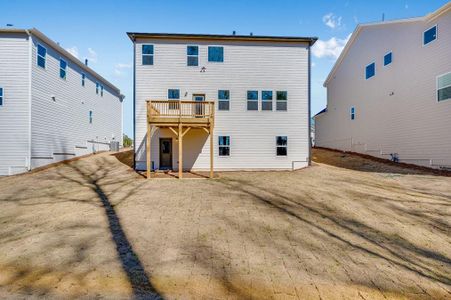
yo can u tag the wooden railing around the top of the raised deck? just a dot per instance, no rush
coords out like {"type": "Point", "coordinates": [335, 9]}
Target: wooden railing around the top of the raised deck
{"type": "Point", "coordinates": [180, 109]}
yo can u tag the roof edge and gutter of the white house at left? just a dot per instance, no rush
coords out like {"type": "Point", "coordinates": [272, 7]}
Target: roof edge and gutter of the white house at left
{"type": "Point", "coordinates": [63, 51]}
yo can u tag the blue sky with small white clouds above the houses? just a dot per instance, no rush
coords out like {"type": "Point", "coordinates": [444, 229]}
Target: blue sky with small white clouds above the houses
{"type": "Point", "coordinates": [96, 29]}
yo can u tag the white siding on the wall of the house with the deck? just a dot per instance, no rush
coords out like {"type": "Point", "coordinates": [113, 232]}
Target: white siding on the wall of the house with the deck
{"type": "Point", "coordinates": [247, 66]}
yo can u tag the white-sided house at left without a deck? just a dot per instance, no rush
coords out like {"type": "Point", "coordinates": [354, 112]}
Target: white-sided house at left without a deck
{"type": "Point", "coordinates": [52, 106]}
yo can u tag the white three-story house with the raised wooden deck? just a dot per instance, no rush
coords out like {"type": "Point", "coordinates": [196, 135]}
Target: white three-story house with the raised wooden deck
{"type": "Point", "coordinates": [255, 89]}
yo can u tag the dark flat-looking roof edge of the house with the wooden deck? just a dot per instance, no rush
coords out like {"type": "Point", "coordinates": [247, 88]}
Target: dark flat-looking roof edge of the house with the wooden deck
{"type": "Point", "coordinates": [221, 37]}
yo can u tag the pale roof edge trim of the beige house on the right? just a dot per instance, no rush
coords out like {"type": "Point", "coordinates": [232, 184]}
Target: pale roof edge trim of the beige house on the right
{"type": "Point", "coordinates": [429, 17]}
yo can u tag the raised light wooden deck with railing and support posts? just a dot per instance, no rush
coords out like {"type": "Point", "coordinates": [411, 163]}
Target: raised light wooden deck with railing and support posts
{"type": "Point", "coordinates": [179, 117]}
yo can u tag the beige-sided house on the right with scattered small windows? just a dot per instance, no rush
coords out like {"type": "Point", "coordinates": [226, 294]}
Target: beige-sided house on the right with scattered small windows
{"type": "Point", "coordinates": [389, 93]}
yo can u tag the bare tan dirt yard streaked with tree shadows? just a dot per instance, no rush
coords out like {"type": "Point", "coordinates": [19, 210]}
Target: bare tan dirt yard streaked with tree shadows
{"type": "Point", "coordinates": [345, 228]}
